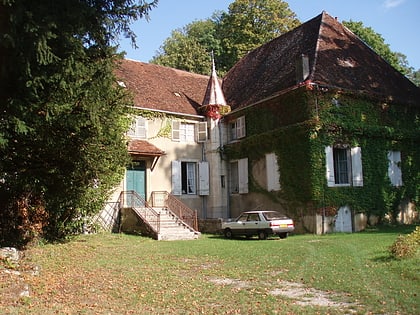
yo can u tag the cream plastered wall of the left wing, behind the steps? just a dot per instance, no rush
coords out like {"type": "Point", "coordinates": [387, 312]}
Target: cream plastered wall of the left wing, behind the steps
{"type": "Point", "coordinates": [213, 205]}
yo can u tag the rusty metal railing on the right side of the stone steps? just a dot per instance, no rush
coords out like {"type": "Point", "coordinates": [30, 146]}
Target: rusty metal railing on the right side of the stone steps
{"type": "Point", "coordinates": [166, 200]}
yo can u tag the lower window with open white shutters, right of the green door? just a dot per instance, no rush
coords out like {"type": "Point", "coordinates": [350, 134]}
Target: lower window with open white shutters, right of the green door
{"type": "Point", "coordinates": [184, 178]}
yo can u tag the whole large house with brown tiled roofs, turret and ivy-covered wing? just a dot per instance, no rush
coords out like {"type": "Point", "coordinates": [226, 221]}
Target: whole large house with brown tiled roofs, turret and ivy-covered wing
{"type": "Point", "coordinates": [313, 123]}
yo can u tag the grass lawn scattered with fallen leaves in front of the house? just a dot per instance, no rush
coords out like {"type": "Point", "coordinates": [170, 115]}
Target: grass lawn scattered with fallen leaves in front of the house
{"type": "Point", "coordinates": [303, 274]}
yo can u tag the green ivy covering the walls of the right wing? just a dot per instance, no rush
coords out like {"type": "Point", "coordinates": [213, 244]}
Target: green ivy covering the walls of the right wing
{"type": "Point", "coordinates": [297, 126]}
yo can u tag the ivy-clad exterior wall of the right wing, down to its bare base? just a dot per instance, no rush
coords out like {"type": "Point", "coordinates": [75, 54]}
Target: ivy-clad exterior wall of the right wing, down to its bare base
{"type": "Point", "coordinates": [367, 127]}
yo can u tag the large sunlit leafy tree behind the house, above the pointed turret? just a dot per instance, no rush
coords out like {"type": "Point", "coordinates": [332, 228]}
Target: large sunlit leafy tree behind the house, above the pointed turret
{"type": "Point", "coordinates": [247, 25]}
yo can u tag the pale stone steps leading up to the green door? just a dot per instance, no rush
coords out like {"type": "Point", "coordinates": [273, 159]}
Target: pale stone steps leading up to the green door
{"type": "Point", "coordinates": [172, 228]}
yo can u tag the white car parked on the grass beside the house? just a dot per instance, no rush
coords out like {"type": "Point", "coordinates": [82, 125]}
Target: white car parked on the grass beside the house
{"type": "Point", "coordinates": [261, 223]}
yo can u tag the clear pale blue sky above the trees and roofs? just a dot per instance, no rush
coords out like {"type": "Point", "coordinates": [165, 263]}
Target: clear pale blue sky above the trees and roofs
{"type": "Point", "coordinates": [395, 20]}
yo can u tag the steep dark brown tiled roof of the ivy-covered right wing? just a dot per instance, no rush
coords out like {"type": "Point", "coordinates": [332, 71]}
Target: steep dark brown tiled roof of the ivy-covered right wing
{"type": "Point", "coordinates": [337, 58]}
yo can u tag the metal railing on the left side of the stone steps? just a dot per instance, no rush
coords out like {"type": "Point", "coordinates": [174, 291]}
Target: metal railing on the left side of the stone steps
{"type": "Point", "coordinates": [131, 199]}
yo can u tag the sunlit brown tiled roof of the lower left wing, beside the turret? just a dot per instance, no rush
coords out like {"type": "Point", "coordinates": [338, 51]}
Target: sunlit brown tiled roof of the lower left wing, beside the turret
{"type": "Point", "coordinates": [162, 88]}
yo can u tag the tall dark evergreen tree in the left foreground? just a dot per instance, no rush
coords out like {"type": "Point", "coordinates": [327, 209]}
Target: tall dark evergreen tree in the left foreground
{"type": "Point", "coordinates": [63, 114]}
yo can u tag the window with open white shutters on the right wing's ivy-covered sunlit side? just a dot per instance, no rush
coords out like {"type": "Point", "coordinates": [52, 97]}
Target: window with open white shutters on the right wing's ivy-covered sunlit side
{"type": "Point", "coordinates": [344, 166]}
